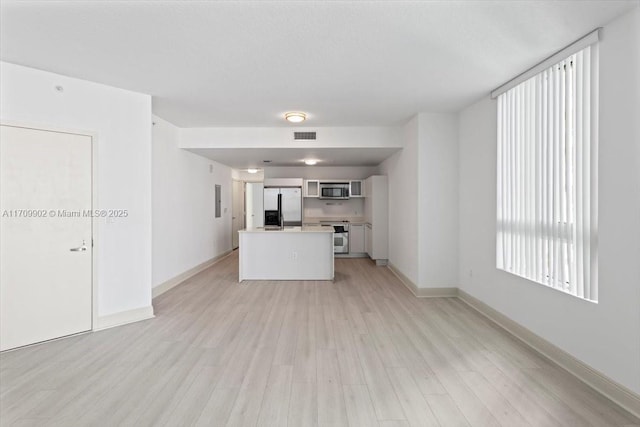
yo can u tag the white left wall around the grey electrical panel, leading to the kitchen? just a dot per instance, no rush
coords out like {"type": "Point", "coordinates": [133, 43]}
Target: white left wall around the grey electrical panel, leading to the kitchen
{"type": "Point", "coordinates": [185, 230]}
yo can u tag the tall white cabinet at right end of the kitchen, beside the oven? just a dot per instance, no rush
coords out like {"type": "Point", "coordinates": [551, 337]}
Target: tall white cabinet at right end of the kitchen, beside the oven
{"type": "Point", "coordinates": [376, 213]}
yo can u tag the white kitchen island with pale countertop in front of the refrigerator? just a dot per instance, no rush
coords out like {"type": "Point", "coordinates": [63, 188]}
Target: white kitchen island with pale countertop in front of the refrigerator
{"type": "Point", "coordinates": [292, 253]}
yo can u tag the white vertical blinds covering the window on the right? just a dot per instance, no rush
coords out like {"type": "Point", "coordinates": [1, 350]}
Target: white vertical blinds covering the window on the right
{"type": "Point", "coordinates": [546, 178]}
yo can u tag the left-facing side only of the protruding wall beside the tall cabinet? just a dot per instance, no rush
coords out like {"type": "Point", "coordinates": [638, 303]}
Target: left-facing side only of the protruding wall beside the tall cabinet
{"type": "Point", "coordinates": [402, 174]}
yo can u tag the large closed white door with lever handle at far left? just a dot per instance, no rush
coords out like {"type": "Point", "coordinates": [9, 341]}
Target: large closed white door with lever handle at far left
{"type": "Point", "coordinates": [45, 237]}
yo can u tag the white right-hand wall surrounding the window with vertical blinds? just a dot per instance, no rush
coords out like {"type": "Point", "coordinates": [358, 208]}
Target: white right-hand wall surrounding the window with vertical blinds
{"type": "Point", "coordinates": [605, 335]}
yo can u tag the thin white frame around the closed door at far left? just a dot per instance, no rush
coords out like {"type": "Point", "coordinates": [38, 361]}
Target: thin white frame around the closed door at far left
{"type": "Point", "coordinates": [94, 200]}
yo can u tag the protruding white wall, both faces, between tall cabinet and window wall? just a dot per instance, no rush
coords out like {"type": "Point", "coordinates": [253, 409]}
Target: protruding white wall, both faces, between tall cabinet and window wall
{"type": "Point", "coordinates": [423, 201]}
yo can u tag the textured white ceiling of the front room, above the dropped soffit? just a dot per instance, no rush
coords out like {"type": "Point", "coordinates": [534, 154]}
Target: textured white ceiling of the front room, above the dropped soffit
{"type": "Point", "coordinates": [347, 63]}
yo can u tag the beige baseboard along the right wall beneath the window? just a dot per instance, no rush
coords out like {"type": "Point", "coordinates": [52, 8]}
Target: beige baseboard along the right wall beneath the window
{"type": "Point", "coordinates": [604, 385]}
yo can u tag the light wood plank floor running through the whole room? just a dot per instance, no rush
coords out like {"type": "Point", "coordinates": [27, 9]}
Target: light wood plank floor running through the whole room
{"type": "Point", "coordinates": [361, 351]}
